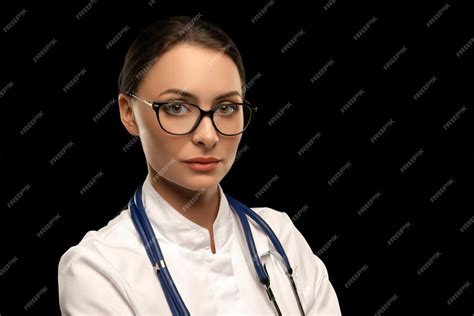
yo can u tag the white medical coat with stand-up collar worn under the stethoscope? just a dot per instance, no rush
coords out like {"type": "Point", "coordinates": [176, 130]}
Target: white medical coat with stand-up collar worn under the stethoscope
{"type": "Point", "coordinates": [109, 272]}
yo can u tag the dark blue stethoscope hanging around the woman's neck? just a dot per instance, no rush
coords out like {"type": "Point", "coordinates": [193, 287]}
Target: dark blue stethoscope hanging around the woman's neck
{"type": "Point", "coordinates": [175, 302]}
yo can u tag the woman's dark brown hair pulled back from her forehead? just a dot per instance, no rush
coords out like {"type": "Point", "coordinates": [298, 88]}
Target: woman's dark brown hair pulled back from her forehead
{"type": "Point", "coordinates": [163, 35]}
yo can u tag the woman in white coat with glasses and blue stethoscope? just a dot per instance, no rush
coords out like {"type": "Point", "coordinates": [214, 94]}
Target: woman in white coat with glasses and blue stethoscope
{"type": "Point", "coordinates": [174, 72]}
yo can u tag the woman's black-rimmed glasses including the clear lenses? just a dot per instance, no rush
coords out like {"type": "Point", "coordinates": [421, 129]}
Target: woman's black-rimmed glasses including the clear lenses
{"type": "Point", "coordinates": [181, 118]}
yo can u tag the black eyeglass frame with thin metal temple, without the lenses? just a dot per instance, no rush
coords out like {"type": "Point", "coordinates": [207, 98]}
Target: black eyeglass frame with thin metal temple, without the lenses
{"type": "Point", "coordinates": [155, 105]}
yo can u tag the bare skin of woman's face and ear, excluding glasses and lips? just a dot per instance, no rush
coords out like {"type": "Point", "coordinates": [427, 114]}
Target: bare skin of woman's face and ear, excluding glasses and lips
{"type": "Point", "coordinates": [205, 74]}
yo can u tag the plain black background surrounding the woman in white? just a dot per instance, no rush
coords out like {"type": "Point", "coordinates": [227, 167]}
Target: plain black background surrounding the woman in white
{"type": "Point", "coordinates": [29, 262]}
